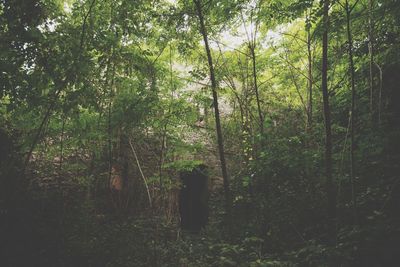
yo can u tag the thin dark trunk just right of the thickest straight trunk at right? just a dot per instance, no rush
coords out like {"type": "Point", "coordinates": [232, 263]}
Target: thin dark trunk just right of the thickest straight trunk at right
{"type": "Point", "coordinates": [353, 111]}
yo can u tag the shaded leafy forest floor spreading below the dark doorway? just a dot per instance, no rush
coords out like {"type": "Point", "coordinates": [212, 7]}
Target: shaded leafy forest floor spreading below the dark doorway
{"type": "Point", "coordinates": [52, 229]}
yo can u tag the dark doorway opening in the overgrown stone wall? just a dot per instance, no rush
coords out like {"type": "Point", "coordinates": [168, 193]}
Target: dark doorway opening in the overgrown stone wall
{"type": "Point", "coordinates": [193, 199]}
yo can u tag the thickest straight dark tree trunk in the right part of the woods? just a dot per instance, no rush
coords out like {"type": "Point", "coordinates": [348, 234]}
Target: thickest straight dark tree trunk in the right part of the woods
{"type": "Point", "coordinates": [330, 187]}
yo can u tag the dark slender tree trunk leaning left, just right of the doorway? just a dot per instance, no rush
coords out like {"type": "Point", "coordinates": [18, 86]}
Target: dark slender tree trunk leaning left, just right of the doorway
{"type": "Point", "coordinates": [214, 87]}
